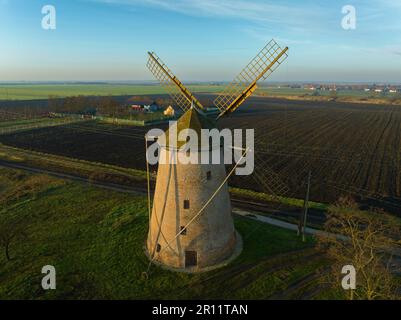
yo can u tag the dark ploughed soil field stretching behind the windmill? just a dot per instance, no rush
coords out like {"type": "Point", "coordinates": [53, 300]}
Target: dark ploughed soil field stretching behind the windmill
{"type": "Point", "coordinates": [349, 148]}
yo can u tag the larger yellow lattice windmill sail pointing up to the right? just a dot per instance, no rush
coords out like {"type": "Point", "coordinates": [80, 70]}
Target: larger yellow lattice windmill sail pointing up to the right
{"type": "Point", "coordinates": [261, 67]}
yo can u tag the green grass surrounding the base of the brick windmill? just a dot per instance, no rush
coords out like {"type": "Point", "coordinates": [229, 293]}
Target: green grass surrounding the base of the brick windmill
{"type": "Point", "coordinates": [95, 239]}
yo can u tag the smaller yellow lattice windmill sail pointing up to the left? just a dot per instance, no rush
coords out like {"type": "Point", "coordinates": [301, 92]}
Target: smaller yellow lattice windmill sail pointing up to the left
{"type": "Point", "coordinates": [178, 92]}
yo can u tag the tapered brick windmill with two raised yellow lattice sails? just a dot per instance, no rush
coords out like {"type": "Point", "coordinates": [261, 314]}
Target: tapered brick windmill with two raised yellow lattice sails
{"type": "Point", "coordinates": [190, 225]}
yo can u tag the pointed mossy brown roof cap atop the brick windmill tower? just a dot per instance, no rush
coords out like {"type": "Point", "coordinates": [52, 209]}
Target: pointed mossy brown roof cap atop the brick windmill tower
{"type": "Point", "coordinates": [192, 119]}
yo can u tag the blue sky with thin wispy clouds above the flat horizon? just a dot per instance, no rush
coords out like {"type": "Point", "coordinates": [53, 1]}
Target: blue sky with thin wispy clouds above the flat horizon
{"type": "Point", "coordinates": [199, 39]}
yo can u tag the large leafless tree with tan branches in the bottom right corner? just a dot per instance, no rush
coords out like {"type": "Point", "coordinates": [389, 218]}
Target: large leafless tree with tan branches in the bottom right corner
{"type": "Point", "coordinates": [366, 240]}
